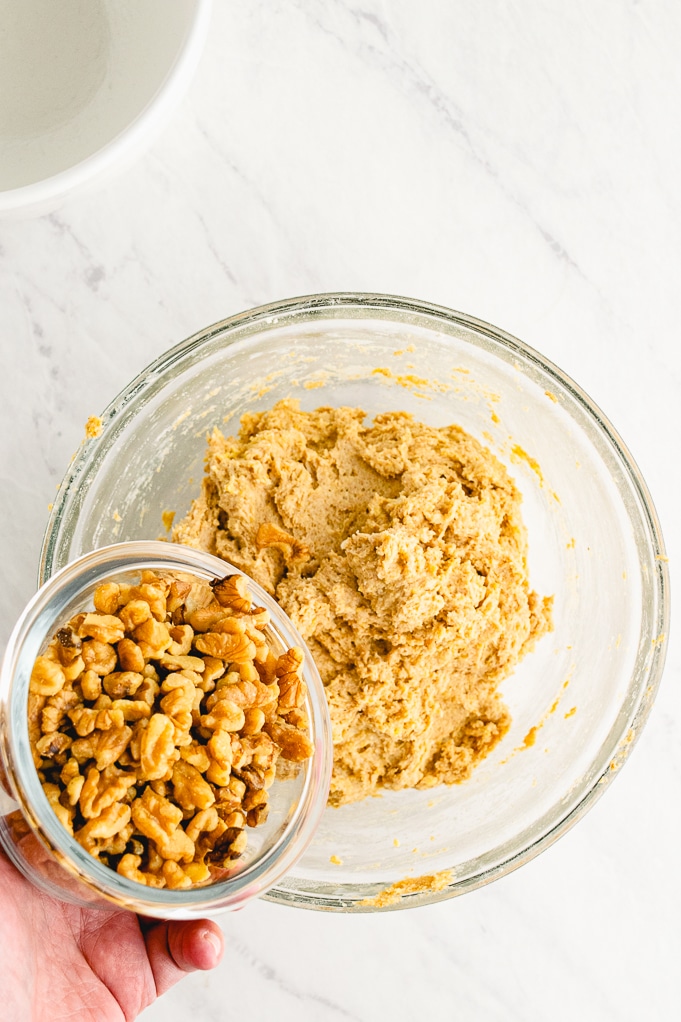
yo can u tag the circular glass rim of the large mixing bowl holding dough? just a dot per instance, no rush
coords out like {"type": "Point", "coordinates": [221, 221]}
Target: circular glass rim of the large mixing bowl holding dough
{"type": "Point", "coordinates": [645, 682]}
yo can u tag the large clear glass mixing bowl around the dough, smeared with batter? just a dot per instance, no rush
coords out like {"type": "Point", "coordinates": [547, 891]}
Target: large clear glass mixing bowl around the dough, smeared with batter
{"type": "Point", "coordinates": [578, 702]}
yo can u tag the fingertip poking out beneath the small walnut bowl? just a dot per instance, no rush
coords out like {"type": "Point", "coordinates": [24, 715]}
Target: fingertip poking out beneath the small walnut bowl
{"type": "Point", "coordinates": [176, 949]}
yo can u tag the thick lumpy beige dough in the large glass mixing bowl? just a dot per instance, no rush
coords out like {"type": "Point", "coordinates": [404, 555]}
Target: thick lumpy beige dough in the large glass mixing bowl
{"type": "Point", "coordinates": [400, 553]}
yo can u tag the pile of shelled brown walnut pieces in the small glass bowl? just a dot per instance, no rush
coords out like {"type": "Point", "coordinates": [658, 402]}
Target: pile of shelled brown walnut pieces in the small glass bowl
{"type": "Point", "coordinates": [157, 722]}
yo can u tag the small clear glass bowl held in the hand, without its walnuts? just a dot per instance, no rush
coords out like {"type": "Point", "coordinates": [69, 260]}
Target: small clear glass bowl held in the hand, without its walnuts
{"type": "Point", "coordinates": [30, 832]}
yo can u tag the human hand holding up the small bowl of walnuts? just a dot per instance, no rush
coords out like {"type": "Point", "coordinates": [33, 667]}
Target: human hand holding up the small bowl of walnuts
{"type": "Point", "coordinates": [61, 962]}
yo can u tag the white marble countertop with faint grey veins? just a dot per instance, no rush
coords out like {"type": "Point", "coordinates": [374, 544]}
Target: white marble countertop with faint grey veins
{"type": "Point", "coordinates": [520, 162]}
